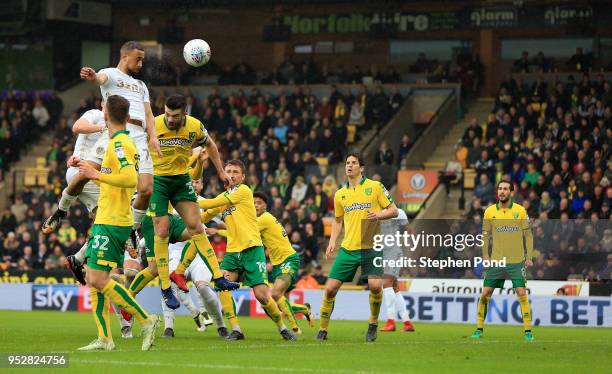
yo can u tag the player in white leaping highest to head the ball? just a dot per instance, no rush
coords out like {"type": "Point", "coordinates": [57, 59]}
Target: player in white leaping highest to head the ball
{"type": "Point", "coordinates": [118, 81]}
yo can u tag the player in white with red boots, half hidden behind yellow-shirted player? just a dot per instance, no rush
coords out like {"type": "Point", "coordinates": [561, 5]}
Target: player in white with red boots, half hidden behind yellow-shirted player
{"type": "Point", "coordinates": [392, 297]}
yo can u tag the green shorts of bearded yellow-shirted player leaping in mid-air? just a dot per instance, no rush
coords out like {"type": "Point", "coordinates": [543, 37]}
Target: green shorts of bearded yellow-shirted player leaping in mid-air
{"type": "Point", "coordinates": [170, 189]}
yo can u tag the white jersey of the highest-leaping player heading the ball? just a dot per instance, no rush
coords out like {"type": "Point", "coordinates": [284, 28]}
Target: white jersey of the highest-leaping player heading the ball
{"type": "Point", "coordinates": [134, 90]}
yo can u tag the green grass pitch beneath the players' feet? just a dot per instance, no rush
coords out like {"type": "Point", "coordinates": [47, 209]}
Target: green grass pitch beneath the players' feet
{"type": "Point", "coordinates": [432, 348]}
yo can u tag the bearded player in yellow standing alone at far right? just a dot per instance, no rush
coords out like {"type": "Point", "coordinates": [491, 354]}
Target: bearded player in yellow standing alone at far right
{"type": "Point", "coordinates": [507, 225]}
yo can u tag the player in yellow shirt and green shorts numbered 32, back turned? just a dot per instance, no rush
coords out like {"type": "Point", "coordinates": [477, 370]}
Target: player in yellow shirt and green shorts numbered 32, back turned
{"type": "Point", "coordinates": [118, 178]}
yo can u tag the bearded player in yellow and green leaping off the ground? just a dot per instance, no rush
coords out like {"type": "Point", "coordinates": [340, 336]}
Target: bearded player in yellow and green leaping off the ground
{"type": "Point", "coordinates": [178, 133]}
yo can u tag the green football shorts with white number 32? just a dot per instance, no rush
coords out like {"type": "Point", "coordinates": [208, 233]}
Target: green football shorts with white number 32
{"type": "Point", "coordinates": [106, 248]}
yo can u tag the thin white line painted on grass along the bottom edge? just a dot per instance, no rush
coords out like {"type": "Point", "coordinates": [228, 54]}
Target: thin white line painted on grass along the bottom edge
{"type": "Point", "coordinates": [222, 367]}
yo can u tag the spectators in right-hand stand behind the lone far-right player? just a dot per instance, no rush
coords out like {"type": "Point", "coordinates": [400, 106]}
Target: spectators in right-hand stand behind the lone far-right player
{"type": "Point", "coordinates": [553, 144]}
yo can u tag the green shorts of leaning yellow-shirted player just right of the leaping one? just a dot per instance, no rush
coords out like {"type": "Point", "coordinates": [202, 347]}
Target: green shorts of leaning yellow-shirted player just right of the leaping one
{"type": "Point", "coordinates": [250, 264]}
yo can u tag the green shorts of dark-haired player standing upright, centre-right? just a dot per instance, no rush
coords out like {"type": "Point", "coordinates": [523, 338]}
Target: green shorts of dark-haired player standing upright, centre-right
{"type": "Point", "coordinates": [346, 264]}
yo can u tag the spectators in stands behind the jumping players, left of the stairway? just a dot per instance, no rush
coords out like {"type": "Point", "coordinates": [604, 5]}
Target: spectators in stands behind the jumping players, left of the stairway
{"type": "Point", "coordinates": [280, 139]}
